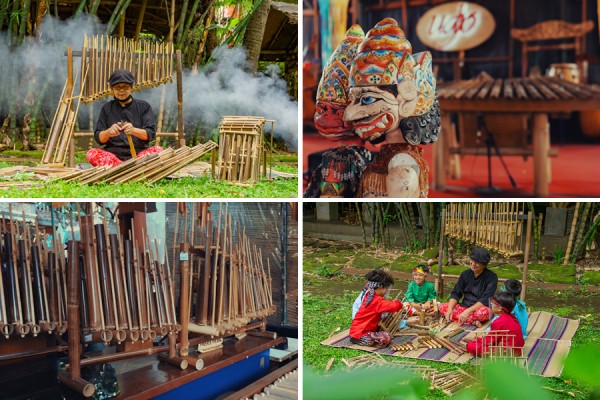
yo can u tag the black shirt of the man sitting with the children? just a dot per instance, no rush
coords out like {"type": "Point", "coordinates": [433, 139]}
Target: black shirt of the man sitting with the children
{"type": "Point", "coordinates": [473, 290]}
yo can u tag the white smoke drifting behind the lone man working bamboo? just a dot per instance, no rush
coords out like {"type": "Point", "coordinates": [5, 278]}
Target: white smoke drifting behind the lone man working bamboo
{"type": "Point", "coordinates": [220, 88]}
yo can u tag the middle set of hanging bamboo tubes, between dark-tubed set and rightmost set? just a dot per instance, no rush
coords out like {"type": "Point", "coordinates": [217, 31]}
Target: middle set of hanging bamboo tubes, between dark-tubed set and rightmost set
{"type": "Point", "coordinates": [127, 294]}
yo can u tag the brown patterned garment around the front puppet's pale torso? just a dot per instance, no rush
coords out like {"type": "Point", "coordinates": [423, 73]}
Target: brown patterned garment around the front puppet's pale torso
{"type": "Point", "coordinates": [373, 180]}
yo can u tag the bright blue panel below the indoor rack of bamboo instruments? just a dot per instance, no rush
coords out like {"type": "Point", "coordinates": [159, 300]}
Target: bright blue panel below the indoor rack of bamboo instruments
{"type": "Point", "coordinates": [228, 379]}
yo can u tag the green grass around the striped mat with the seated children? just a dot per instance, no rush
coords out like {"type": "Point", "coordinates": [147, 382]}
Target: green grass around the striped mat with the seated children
{"type": "Point", "coordinates": [327, 310]}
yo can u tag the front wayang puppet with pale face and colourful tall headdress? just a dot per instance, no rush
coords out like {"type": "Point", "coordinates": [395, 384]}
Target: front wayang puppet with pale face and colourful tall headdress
{"type": "Point", "coordinates": [393, 100]}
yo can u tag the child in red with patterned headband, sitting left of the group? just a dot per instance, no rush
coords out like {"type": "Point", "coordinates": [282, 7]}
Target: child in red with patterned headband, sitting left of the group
{"type": "Point", "coordinates": [363, 330]}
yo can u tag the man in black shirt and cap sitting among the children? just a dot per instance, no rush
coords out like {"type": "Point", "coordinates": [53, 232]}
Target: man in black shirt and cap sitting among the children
{"type": "Point", "coordinates": [475, 286]}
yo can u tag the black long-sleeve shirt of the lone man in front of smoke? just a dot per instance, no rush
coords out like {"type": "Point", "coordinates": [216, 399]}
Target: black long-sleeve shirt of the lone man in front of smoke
{"type": "Point", "coordinates": [139, 113]}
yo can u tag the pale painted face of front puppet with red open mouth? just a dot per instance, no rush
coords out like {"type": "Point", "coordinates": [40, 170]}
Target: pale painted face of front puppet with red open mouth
{"type": "Point", "coordinates": [373, 111]}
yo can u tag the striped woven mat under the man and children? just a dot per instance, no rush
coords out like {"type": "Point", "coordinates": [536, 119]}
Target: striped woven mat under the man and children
{"type": "Point", "coordinates": [547, 344]}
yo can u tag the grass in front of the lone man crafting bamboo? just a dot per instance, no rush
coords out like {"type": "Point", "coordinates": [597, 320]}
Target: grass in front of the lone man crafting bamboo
{"type": "Point", "coordinates": [202, 187]}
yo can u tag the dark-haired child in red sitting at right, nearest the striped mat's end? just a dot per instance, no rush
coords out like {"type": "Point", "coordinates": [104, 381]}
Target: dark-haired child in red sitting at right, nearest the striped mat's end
{"type": "Point", "coordinates": [511, 335]}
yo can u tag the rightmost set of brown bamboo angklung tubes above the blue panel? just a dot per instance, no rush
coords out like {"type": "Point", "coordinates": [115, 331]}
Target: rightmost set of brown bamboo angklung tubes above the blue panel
{"type": "Point", "coordinates": [232, 286]}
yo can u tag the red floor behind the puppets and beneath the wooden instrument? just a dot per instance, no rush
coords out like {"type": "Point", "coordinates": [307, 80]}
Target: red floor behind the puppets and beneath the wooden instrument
{"type": "Point", "coordinates": [575, 172]}
